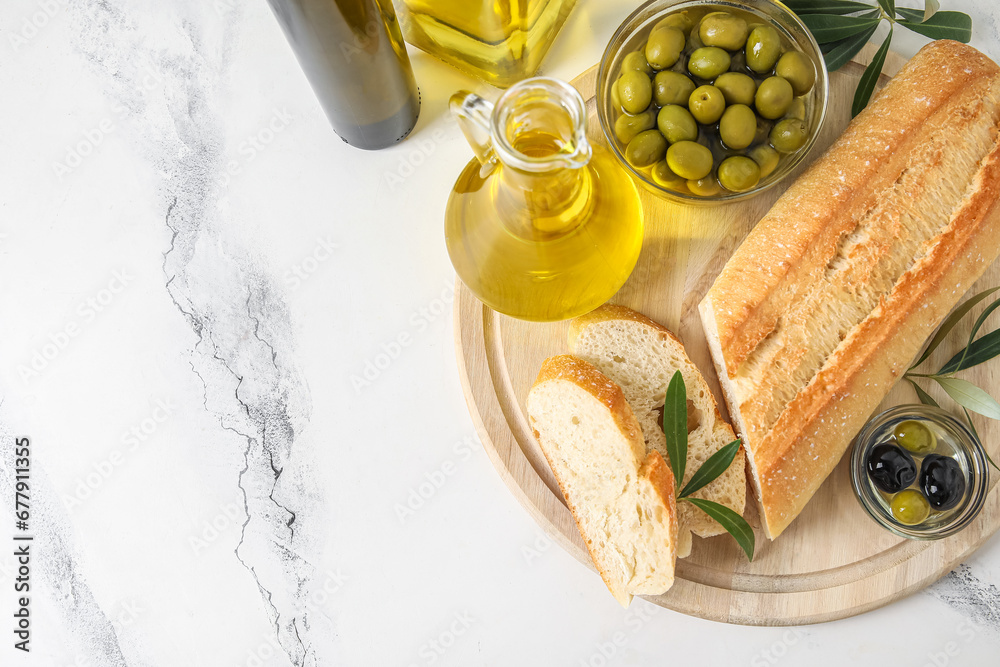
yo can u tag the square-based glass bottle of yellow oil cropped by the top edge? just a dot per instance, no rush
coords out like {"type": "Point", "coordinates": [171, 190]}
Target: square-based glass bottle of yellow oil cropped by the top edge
{"type": "Point", "coordinates": [499, 41]}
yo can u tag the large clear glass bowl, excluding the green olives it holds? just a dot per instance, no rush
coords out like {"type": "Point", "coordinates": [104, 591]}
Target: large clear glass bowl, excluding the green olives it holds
{"type": "Point", "coordinates": [635, 29]}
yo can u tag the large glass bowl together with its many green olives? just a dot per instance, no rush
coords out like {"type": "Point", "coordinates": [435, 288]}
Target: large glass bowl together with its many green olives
{"type": "Point", "coordinates": [711, 101]}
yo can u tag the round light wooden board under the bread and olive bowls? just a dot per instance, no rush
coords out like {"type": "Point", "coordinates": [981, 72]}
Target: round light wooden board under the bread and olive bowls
{"type": "Point", "coordinates": [833, 561]}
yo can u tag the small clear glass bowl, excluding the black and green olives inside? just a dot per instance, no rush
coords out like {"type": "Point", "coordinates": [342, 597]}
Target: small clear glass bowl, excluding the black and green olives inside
{"type": "Point", "coordinates": [953, 439]}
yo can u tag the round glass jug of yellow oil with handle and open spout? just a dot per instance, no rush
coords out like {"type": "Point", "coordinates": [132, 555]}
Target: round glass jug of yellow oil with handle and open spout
{"type": "Point", "coordinates": [541, 225]}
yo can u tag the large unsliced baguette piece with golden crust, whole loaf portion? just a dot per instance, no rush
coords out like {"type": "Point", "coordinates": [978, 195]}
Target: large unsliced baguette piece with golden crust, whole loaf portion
{"type": "Point", "coordinates": [824, 305]}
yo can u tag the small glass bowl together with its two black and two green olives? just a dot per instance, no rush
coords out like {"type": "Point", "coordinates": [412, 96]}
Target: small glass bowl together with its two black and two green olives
{"type": "Point", "coordinates": [919, 472]}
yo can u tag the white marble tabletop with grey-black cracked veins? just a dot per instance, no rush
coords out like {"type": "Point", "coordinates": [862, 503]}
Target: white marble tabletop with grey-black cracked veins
{"type": "Point", "coordinates": [179, 341]}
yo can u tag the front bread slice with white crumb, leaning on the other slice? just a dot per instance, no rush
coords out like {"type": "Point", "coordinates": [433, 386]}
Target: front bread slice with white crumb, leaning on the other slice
{"type": "Point", "coordinates": [621, 497]}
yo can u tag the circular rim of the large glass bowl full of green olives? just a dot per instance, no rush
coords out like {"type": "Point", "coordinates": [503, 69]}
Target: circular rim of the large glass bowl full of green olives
{"type": "Point", "coordinates": [627, 27]}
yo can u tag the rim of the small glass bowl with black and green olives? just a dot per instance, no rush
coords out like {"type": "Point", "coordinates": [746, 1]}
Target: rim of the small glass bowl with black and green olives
{"type": "Point", "coordinates": [978, 482]}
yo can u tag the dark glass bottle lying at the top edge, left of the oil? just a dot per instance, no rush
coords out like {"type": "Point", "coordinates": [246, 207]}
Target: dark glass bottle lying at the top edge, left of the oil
{"type": "Point", "coordinates": [353, 54]}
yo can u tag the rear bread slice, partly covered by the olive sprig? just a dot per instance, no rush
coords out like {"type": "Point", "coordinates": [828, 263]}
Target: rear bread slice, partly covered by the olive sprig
{"type": "Point", "coordinates": [641, 356]}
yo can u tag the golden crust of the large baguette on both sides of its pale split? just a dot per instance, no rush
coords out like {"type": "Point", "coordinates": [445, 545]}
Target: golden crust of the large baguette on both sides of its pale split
{"type": "Point", "coordinates": [793, 457]}
